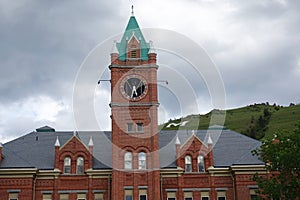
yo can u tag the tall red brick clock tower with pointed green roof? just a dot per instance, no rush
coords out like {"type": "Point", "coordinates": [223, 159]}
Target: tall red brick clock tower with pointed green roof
{"type": "Point", "coordinates": [134, 104]}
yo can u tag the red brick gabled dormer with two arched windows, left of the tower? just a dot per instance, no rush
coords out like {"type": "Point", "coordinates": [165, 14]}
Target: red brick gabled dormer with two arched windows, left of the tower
{"type": "Point", "coordinates": [74, 157]}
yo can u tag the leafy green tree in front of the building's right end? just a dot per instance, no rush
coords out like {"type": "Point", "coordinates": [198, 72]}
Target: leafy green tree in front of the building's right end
{"type": "Point", "coordinates": [282, 157]}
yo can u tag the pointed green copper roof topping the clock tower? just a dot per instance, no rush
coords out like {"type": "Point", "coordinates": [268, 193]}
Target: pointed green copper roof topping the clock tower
{"type": "Point", "coordinates": [133, 29]}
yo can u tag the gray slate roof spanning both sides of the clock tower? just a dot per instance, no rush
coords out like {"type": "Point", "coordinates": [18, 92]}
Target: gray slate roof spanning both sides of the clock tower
{"type": "Point", "coordinates": [36, 149]}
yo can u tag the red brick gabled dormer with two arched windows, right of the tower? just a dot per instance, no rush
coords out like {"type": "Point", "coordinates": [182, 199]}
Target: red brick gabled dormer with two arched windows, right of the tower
{"type": "Point", "coordinates": [194, 155]}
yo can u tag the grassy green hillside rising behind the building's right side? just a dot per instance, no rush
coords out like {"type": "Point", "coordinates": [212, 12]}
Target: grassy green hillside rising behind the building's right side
{"type": "Point", "coordinates": [257, 121]}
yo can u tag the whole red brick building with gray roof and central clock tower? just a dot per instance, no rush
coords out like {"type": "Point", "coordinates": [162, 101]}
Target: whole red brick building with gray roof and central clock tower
{"type": "Point", "coordinates": [134, 161]}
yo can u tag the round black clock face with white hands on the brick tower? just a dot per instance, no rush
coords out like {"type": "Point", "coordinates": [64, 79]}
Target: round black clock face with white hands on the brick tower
{"type": "Point", "coordinates": [134, 87]}
